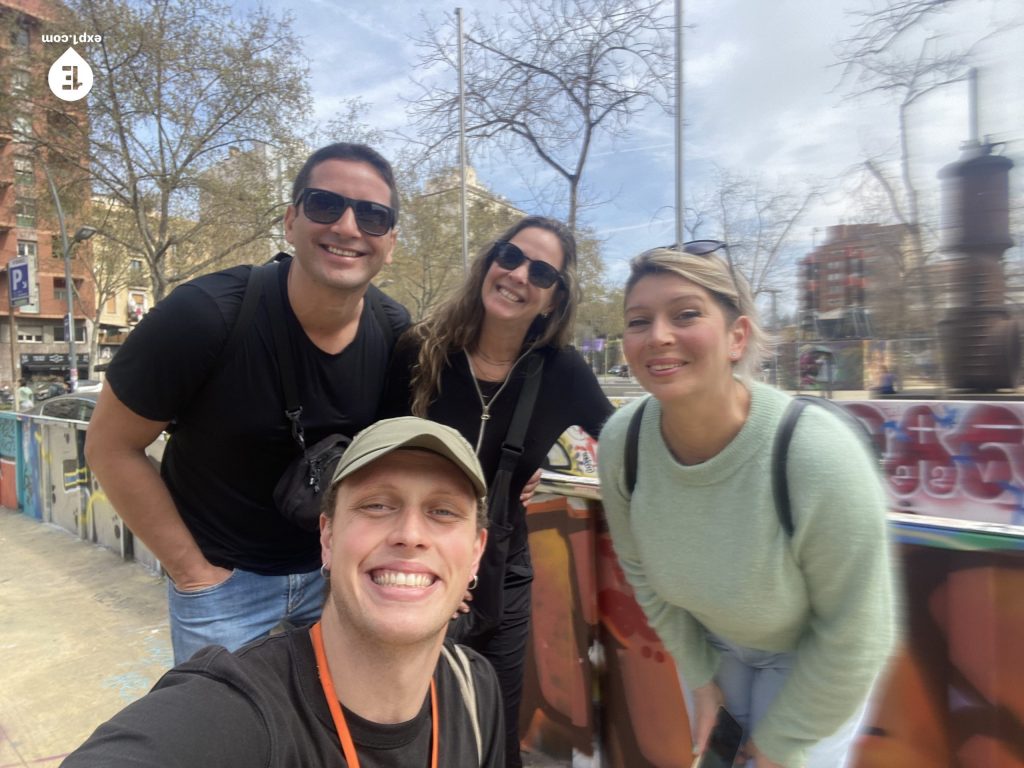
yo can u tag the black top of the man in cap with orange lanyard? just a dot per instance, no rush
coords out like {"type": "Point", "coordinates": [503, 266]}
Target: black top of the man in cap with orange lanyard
{"type": "Point", "coordinates": [265, 706]}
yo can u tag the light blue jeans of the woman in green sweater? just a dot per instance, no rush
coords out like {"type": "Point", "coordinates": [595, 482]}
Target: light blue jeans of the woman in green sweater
{"type": "Point", "coordinates": [750, 680]}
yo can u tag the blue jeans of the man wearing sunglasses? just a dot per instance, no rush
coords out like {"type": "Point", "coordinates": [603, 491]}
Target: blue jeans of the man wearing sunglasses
{"type": "Point", "coordinates": [242, 609]}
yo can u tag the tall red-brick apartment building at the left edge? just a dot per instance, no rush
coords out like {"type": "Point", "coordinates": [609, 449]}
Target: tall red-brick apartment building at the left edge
{"type": "Point", "coordinates": [34, 340]}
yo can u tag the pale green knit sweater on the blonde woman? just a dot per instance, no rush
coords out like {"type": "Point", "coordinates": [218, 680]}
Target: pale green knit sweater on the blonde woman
{"type": "Point", "coordinates": [703, 548]}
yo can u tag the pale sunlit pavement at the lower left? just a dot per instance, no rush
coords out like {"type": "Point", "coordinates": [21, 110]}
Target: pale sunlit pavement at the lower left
{"type": "Point", "coordinates": [82, 634]}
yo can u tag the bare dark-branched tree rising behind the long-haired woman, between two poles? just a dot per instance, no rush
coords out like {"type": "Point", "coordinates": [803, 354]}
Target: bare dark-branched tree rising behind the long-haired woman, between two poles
{"type": "Point", "coordinates": [551, 76]}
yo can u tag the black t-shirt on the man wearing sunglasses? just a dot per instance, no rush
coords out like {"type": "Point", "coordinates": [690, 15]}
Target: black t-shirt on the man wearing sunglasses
{"type": "Point", "coordinates": [232, 441]}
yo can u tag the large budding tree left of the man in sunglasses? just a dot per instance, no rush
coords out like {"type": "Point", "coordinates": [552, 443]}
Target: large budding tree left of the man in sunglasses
{"type": "Point", "coordinates": [178, 84]}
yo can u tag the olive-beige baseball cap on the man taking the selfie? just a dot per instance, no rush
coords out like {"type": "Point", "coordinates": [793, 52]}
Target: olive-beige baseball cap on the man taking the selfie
{"type": "Point", "coordinates": [411, 433]}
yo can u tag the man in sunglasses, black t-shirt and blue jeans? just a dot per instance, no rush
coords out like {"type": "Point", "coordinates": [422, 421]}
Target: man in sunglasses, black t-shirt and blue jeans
{"type": "Point", "coordinates": [238, 569]}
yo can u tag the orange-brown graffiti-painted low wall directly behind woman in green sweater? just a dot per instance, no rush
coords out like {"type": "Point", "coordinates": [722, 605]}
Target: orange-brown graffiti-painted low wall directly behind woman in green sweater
{"type": "Point", "coordinates": [601, 689]}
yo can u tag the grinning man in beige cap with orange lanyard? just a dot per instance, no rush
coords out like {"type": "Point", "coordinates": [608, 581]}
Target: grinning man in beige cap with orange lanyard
{"type": "Point", "coordinates": [373, 684]}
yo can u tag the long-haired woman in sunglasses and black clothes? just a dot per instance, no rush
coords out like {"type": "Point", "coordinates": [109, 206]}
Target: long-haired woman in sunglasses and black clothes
{"type": "Point", "coordinates": [465, 366]}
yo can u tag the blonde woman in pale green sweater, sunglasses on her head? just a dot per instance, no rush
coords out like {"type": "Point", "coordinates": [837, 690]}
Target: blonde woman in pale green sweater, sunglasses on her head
{"type": "Point", "coordinates": [788, 632]}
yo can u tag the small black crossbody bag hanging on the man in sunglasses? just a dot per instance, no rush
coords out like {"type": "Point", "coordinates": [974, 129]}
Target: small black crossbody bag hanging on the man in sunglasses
{"type": "Point", "coordinates": [297, 495]}
